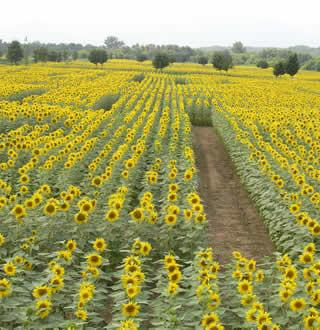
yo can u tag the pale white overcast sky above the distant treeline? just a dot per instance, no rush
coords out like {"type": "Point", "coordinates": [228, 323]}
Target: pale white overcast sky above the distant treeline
{"type": "Point", "coordinates": [196, 23]}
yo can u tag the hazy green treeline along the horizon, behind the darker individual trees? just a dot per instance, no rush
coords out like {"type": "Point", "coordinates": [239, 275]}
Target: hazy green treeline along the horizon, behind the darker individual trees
{"type": "Point", "coordinates": [35, 51]}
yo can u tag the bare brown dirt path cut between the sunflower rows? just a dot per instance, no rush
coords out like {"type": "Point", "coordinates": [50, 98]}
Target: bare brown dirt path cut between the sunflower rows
{"type": "Point", "coordinates": [234, 223]}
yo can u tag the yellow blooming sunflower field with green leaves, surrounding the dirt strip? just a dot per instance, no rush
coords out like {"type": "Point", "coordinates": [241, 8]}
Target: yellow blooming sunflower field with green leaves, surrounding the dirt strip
{"type": "Point", "coordinates": [101, 222]}
